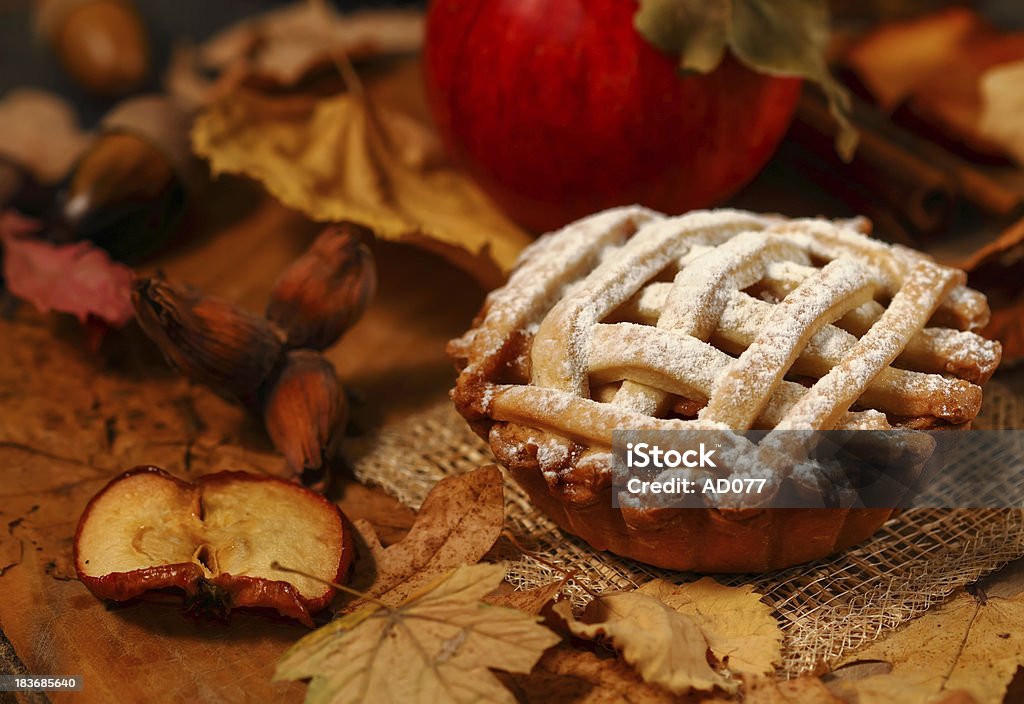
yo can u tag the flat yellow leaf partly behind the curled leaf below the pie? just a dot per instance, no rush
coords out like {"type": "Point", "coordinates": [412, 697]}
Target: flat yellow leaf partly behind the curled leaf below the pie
{"type": "Point", "coordinates": [739, 627]}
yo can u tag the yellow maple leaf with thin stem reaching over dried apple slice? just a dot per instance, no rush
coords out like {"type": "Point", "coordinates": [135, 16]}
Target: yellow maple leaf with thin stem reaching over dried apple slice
{"type": "Point", "coordinates": [438, 646]}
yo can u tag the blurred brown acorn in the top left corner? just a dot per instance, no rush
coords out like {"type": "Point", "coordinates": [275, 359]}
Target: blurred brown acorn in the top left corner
{"type": "Point", "coordinates": [102, 43]}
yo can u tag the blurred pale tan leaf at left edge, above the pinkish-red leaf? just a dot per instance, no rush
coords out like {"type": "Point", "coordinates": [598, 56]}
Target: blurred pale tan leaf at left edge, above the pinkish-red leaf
{"type": "Point", "coordinates": [39, 131]}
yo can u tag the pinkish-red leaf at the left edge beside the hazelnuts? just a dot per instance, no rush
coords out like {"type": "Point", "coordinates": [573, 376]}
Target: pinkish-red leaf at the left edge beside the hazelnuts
{"type": "Point", "coordinates": [78, 279]}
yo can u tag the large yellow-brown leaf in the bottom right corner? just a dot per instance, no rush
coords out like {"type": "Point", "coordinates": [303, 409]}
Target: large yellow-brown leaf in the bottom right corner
{"type": "Point", "coordinates": [970, 645]}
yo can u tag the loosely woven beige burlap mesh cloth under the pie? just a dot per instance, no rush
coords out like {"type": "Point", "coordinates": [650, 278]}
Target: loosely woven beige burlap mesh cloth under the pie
{"type": "Point", "coordinates": [825, 608]}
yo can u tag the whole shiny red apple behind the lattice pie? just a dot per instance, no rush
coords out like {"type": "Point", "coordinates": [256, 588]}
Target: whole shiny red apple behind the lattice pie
{"type": "Point", "coordinates": [560, 109]}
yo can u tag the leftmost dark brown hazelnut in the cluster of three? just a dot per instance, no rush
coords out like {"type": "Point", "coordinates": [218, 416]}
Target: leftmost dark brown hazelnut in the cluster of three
{"type": "Point", "coordinates": [209, 340]}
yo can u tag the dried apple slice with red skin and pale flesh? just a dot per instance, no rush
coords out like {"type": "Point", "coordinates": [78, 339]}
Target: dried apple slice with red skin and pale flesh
{"type": "Point", "coordinates": [217, 540]}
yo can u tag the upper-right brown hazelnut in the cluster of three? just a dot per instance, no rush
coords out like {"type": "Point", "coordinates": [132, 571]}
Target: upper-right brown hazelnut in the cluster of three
{"type": "Point", "coordinates": [323, 293]}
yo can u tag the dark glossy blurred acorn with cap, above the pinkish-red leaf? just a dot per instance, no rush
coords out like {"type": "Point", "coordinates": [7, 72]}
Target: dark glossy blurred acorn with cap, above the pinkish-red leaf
{"type": "Point", "coordinates": [130, 190]}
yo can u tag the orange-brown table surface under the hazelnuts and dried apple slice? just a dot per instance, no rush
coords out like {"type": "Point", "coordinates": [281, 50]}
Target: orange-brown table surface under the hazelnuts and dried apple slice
{"type": "Point", "coordinates": [71, 420]}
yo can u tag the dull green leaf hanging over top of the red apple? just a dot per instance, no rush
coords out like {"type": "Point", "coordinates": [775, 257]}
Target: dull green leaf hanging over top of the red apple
{"type": "Point", "coordinates": [776, 37]}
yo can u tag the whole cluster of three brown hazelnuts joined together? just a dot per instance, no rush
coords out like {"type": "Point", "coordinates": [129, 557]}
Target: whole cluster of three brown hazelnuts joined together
{"type": "Point", "coordinates": [274, 365]}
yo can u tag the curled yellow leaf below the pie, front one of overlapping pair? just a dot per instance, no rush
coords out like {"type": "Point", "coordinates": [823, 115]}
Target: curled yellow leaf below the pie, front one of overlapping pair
{"type": "Point", "coordinates": [666, 647]}
